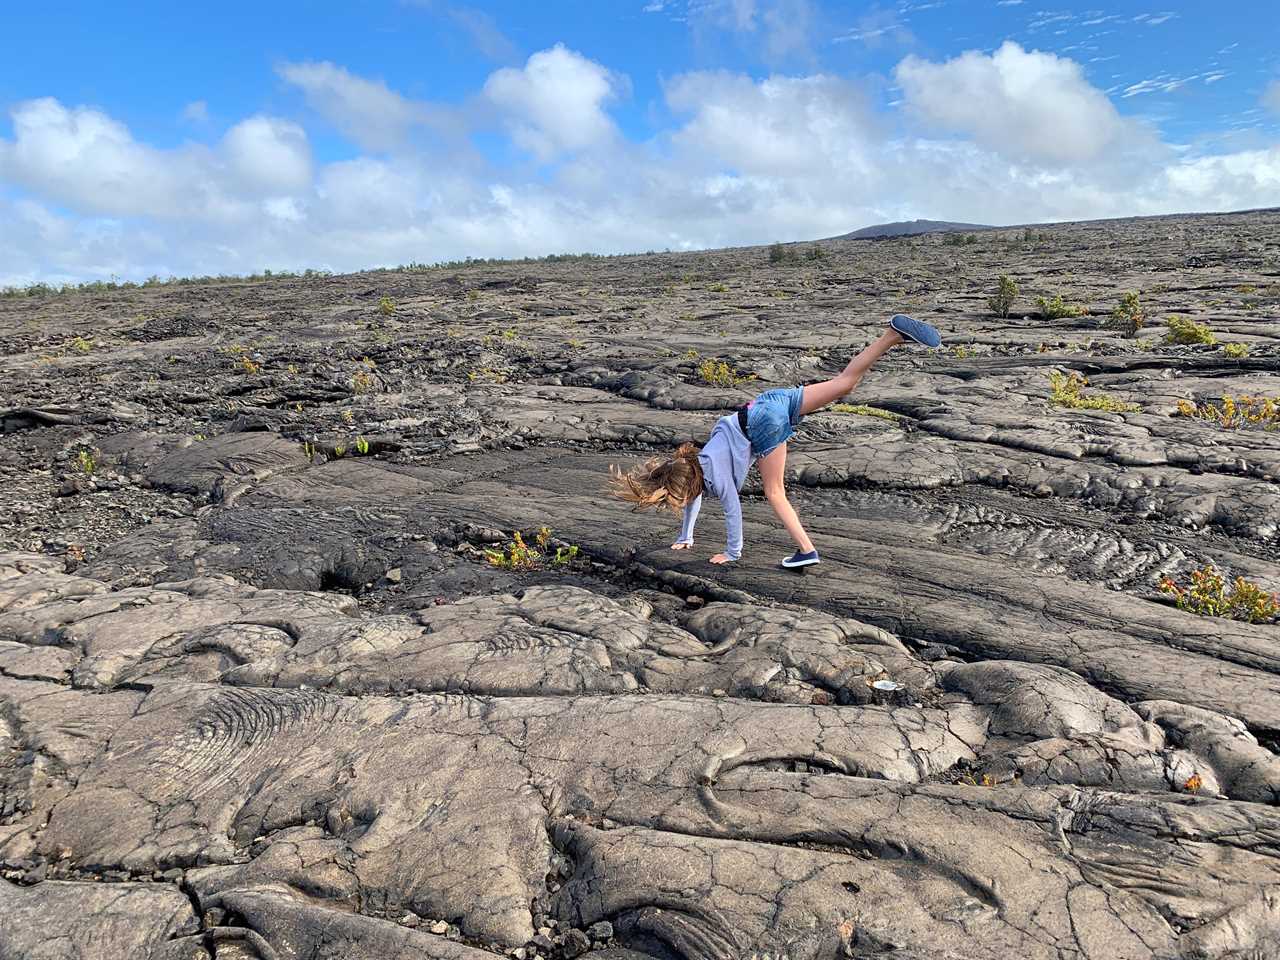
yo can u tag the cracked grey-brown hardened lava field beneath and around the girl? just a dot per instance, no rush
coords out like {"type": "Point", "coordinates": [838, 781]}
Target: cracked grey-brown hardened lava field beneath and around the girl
{"type": "Point", "coordinates": [263, 693]}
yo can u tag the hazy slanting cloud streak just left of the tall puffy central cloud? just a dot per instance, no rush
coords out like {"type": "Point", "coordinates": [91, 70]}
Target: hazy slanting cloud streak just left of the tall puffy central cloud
{"type": "Point", "coordinates": [369, 112]}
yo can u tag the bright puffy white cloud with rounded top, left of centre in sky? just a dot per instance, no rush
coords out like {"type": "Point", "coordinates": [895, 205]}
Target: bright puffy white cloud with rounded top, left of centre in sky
{"type": "Point", "coordinates": [555, 104]}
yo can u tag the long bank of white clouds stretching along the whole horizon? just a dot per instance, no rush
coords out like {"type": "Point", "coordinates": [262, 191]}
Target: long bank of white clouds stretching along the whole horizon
{"type": "Point", "coordinates": [1013, 136]}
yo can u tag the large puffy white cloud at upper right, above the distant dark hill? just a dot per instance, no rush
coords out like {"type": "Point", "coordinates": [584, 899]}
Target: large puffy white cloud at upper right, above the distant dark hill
{"type": "Point", "coordinates": [1023, 103]}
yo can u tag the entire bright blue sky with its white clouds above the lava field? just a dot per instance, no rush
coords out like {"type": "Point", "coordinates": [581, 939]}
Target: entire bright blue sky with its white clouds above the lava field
{"type": "Point", "coordinates": [173, 139]}
